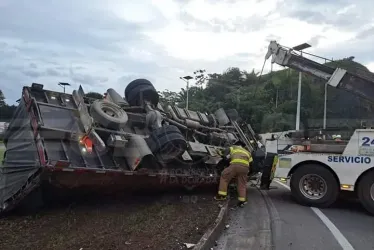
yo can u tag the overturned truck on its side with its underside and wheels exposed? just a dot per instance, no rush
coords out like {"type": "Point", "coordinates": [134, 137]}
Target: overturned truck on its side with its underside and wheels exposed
{"type": "Point", "coordinates": [72, 141]}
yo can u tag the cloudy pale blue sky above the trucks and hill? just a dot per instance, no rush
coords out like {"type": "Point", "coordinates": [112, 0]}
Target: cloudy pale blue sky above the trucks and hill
{"type": "Point", "coordinates": [106, 44]}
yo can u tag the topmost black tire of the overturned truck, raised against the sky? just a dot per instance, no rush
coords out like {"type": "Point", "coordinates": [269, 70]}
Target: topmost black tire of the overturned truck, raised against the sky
{"type": "Point", "coordinates": [144, 90]}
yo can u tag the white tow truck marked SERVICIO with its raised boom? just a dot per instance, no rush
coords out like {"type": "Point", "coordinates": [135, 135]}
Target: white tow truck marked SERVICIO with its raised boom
{"type": "Point", "coordinates": [319, 170]}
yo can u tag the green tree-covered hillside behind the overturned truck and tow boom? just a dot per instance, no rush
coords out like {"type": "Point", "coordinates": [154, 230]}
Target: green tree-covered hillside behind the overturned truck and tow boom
{"type": "Point", "coordinates": [268, 102]}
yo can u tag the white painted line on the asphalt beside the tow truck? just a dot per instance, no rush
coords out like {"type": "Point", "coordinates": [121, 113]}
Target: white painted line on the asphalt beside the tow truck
{"type": "Point", "coordinates": [343, 242]}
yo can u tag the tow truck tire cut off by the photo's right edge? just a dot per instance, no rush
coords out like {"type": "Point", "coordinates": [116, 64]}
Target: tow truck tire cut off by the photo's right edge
{"type": "Point", "coordinates": [365, 191]}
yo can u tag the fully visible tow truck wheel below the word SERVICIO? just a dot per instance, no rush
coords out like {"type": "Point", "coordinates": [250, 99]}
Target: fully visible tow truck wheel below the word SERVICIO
{"type": "Point", "coordinates": [314, 185]}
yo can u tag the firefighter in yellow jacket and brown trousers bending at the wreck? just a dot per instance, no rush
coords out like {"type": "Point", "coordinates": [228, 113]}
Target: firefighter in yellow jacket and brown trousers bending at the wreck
{"type": "Point", "coordinates": [240, 159]}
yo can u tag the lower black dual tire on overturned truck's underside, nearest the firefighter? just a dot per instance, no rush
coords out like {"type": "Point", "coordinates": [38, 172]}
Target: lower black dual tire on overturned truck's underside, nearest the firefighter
{"type": "Point", "coordinates": [167, 142]}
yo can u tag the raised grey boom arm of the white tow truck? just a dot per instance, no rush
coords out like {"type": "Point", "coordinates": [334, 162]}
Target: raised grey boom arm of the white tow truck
{"type": "Point", "coordinates": [361, 84]}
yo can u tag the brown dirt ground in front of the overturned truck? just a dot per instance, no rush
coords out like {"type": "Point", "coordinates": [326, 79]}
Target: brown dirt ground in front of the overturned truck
{"type": "Point", "coordinates": [157, 222]}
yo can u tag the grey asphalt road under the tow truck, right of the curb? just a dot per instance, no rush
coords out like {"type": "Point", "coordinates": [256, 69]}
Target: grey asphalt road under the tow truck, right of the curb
{"type": "Point", "coordinates": [346, 225]}
